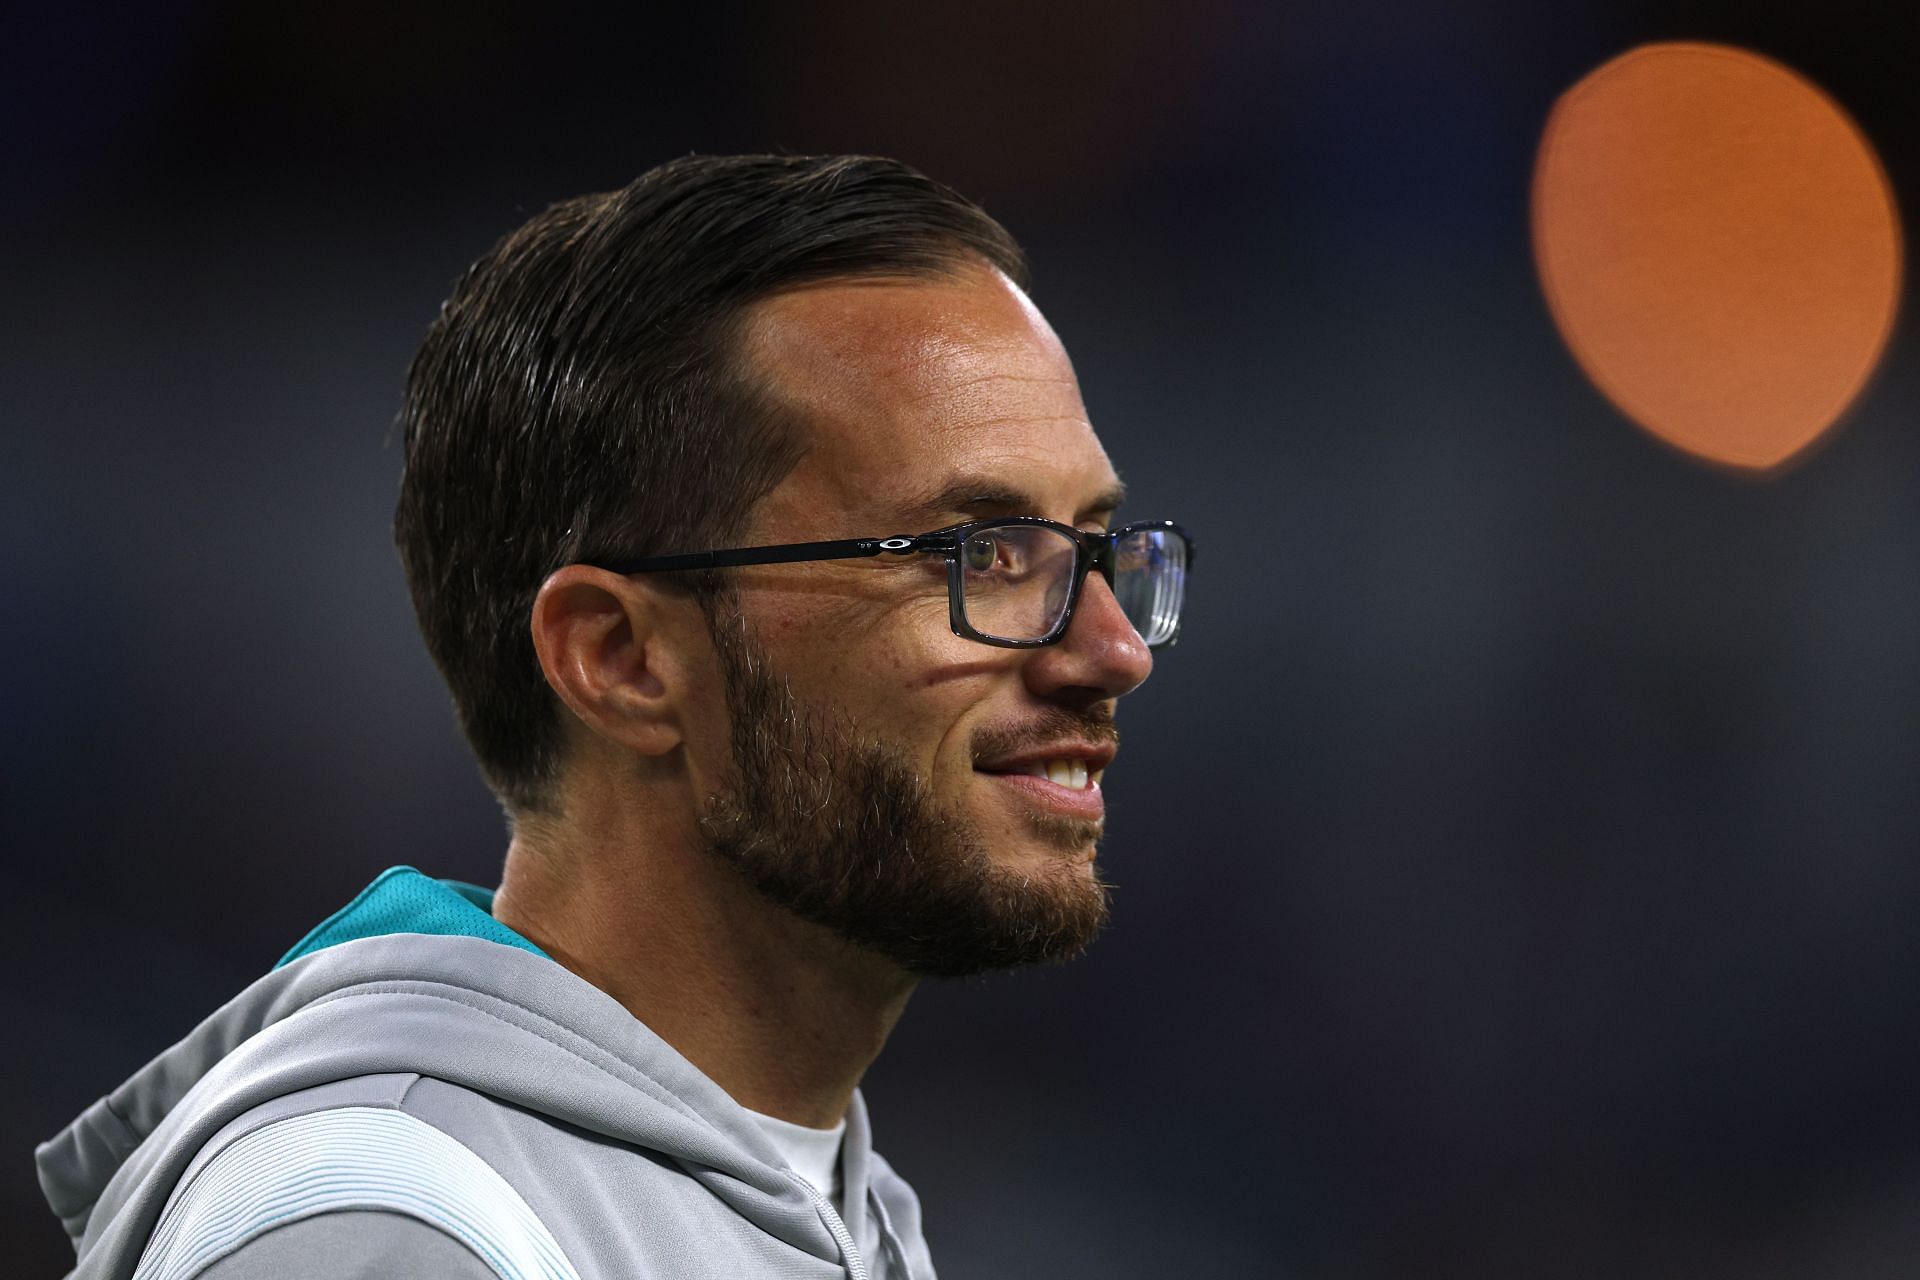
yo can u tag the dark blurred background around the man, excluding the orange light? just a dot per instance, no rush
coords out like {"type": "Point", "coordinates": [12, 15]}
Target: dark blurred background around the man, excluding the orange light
{"type": "Point", "coordinates": [1518, 857]}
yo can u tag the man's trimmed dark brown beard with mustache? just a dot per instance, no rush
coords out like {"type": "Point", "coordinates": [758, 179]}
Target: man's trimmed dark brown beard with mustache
{"type": "Point", "coordinates": [836, 826]}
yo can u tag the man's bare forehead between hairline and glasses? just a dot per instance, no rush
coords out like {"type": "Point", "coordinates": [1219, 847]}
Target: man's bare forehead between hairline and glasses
{"type": "Point", "coordinates": [921, 392]}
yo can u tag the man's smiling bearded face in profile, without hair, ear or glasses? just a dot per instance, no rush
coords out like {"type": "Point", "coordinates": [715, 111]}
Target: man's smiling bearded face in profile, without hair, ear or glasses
{"type": "Point", "coordinates": [886, 776]}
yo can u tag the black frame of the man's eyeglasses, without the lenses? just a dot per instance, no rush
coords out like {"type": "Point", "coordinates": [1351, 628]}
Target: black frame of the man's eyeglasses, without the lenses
{"type": "Point", "coordinates": [1093, 552]}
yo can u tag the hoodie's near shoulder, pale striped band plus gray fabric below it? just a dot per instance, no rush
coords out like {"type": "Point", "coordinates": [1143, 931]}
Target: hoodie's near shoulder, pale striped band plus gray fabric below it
{"type": "Point", "coordinates": [372, 1185]}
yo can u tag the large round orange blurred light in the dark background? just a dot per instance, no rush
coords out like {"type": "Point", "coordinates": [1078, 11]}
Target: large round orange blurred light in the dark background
{"type": "Point", "coordinates": [1719, 247]}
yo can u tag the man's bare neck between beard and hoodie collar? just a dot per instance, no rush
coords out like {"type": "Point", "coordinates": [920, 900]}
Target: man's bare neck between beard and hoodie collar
{"type": "Point", "coordinates": [777, 1010]}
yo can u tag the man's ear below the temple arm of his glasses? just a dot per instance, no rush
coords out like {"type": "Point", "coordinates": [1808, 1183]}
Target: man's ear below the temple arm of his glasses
{"type": "Point", "coordinates": [602, 648]}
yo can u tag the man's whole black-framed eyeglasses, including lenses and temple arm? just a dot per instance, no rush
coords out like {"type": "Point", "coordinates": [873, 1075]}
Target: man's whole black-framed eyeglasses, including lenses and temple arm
{"type": "Point", "coordinates": [1011, 582]}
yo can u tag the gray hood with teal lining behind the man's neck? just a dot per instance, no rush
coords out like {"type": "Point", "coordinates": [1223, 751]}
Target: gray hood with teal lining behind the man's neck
{"type": "Point", "coordinates": [418, 978]}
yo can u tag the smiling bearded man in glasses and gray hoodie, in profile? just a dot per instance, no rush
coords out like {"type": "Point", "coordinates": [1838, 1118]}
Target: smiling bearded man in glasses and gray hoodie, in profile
{"type": "Point", "coordinates": [757, 525]}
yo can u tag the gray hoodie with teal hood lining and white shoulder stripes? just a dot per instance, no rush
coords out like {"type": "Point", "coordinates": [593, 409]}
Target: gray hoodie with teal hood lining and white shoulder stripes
{"type": "Point", "coordinates": [416, 1091]}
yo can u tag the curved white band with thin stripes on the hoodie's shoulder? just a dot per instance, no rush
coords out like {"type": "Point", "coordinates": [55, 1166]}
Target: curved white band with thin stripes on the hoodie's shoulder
{"type": "Point", "coordinates": [350, 1158]}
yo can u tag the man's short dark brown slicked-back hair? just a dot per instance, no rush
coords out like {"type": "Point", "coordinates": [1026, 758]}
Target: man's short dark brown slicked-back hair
{"type": "Point", "coordinates": [583, 396]}
